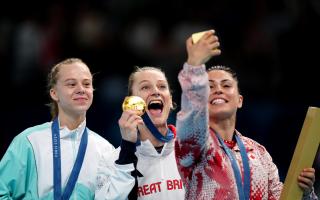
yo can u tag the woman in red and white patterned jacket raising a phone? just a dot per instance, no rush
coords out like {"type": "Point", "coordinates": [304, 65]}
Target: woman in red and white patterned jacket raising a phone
{"type": "Point", "coordinates": [215, 160]}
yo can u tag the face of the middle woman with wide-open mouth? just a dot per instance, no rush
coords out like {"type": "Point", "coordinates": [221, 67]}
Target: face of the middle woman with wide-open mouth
{"type": "Point", "coordinates": [152, 86]}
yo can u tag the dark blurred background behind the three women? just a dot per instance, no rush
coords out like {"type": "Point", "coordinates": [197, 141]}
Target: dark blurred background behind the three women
{"type": "Point", "coordinates": [273, 45]}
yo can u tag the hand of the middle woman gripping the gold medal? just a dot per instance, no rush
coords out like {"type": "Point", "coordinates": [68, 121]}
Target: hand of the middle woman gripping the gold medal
{"type": "Point", "coordinates": [128, 124]}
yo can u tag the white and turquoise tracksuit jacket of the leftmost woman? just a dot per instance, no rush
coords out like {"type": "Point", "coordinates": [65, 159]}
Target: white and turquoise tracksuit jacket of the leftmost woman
{"type": "Point", "coordinates": [26, 169]}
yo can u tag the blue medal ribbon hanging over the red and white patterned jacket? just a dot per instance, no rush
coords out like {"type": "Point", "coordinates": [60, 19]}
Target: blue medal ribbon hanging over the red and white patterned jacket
{"type": "Point", "coordinates": [243, 189]}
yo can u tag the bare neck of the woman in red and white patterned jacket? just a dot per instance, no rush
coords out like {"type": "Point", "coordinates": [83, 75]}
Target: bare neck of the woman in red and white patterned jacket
{"type": "Point", "coordinates": [225, 128]}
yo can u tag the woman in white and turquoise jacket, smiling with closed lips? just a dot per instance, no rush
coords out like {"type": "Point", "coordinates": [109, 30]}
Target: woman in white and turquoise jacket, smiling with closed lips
{"type": "Point", "coordinates": [63, 159]}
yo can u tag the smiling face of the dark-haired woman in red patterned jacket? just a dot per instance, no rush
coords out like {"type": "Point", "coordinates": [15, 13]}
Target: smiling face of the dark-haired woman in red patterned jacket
{"type": "Point", "coordinates": [224, 98]}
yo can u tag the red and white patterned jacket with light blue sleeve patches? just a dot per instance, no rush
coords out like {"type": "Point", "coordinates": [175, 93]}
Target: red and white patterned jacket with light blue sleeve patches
{"type": "Point", "coordinates": [205, 168]}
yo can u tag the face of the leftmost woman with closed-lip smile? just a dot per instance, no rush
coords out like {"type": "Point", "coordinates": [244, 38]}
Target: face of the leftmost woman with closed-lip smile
{"type": "Point", "coordinates": [73, 90]}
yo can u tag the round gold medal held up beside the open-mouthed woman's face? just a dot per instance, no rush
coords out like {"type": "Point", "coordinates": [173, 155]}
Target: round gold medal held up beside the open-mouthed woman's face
{"type": "Point", "coordinates": [134, 103]}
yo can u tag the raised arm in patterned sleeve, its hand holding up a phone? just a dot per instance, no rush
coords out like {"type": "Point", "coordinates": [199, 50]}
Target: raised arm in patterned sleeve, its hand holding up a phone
{"type": "Point", "coordinates": [192, 119]}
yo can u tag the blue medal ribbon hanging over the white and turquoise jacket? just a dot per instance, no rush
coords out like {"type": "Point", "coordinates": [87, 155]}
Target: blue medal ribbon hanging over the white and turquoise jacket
{"type": "Point", "coordinates": [57, 163]}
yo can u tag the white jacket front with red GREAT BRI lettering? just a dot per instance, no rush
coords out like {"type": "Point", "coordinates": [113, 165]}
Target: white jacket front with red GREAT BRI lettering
{"type": "Point", "coordinates": [160, 177]}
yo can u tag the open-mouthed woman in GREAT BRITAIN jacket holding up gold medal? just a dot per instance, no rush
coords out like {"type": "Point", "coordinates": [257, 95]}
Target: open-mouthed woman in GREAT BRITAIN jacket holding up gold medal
{"type": "Point", "coordinates": [156, 173]}
